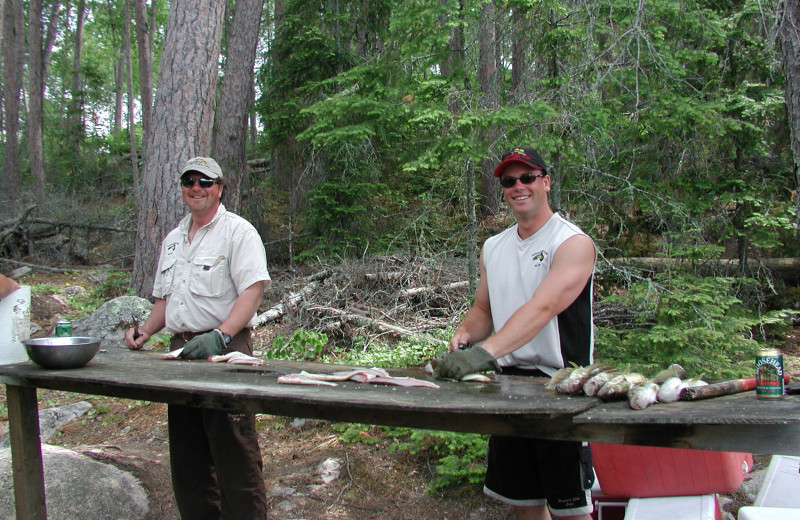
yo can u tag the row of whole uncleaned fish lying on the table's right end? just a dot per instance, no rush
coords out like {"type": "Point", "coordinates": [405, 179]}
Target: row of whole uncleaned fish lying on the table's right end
{"type": "Point", "coordinates": [608, 383]}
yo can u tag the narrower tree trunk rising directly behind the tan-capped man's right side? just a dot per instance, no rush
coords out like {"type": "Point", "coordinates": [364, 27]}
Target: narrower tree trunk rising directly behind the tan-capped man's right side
{"type": "Point", "coordinates": [231, 137]}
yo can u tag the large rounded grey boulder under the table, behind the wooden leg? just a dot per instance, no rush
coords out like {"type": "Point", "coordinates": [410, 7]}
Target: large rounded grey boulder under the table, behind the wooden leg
{"type": "Point", "coordinates": [78, 487]}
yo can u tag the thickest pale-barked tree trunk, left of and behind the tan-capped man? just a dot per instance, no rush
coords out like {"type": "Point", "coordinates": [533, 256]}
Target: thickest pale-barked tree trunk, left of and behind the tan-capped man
{"type": "Point", "coordinates": [183, 120]}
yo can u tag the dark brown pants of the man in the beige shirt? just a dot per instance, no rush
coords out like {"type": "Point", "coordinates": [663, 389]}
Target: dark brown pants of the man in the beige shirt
{"type": "Point", "coordinates": [215, 459]}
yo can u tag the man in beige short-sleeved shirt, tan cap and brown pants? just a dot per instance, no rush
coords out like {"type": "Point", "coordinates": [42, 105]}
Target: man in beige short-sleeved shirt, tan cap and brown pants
{"type": "Point", "coordinates": [209, 282]}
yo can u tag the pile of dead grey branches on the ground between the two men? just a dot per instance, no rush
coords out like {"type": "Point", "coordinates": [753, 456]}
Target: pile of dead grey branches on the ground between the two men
{"type": "Point", "coordinates": [385, 299]}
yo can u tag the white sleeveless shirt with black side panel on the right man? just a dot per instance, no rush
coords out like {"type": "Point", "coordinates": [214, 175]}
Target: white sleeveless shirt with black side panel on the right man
{"type": "Point", "coordinates": [514, 269]}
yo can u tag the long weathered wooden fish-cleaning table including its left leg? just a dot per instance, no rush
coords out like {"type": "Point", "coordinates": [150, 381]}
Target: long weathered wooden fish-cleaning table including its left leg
{"type": "Point", "coordinates": [509, 405]}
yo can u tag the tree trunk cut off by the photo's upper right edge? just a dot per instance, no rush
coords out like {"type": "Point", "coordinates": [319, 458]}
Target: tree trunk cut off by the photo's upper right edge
{"type": "Point", "coordinates": [788, 35]}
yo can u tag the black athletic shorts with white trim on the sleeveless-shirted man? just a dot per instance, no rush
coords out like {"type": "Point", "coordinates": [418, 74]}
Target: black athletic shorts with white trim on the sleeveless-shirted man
{"type": "Point", "coordinates": [536, 472]}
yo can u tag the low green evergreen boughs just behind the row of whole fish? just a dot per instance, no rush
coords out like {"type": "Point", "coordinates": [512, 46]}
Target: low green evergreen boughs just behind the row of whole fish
{"type": "Point", "coordinates": [694, 321]}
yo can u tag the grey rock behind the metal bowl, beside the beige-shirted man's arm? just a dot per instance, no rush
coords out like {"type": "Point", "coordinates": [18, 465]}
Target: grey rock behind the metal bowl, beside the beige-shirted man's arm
{"type": "Point", "coordinates": [112, 319]}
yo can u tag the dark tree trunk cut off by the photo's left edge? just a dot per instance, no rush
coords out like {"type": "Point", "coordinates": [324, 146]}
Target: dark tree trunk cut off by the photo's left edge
{"type": "Point", "coordinates": [13, 51]}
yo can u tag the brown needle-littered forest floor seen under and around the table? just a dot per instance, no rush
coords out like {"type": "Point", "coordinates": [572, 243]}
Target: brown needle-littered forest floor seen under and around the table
{"type": "Point", "coordinates": [371, 480]}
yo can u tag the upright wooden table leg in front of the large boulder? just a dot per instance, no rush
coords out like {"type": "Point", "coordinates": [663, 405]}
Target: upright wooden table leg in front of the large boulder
{"type": "Point", "coordinates": [26, 452]}
